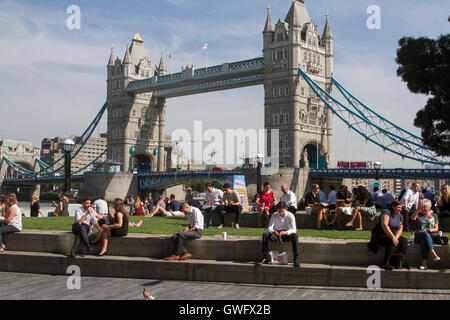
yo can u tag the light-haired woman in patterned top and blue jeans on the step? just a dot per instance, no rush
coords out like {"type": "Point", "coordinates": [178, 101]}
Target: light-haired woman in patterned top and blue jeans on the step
{"type": "Point", "coordinates": [427, 223]}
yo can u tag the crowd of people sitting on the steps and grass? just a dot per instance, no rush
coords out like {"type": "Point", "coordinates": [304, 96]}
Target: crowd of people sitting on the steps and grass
{"type": "Point", "coordinates": [416, 210]}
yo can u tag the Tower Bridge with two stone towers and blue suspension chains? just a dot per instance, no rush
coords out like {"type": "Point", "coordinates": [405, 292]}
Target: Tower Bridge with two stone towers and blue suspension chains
{"type": "Point", "coordinates": [296, 71]}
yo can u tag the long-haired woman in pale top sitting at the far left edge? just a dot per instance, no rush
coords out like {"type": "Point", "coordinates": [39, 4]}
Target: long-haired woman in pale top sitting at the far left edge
{"type": "Point", "coordinates": [12, 222]}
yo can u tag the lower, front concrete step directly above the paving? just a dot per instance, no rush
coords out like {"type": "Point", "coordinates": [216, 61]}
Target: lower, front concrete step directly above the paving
{"type": "Point", "coordinates": [219, 271]}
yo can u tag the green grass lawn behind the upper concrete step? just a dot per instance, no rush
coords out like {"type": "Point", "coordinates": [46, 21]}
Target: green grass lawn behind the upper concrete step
{"type": "Point", "coordinates": [164, 225]}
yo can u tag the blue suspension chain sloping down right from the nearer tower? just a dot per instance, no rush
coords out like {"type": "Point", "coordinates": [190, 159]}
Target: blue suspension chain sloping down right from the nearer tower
{"type": "Point", "coordinates": [369, 127]}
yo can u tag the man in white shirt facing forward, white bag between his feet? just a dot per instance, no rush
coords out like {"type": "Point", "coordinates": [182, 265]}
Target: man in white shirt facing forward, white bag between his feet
{"type": "Point", "coordinates": [282, 228]}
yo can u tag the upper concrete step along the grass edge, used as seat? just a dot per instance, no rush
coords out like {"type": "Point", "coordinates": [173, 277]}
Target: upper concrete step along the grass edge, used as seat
{"type": "Point", "coordinates": [243, 249]}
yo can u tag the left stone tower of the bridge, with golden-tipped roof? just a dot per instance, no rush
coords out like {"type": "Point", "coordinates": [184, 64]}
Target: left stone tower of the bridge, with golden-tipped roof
{"type": "Point", "coordinates": [135, 122]}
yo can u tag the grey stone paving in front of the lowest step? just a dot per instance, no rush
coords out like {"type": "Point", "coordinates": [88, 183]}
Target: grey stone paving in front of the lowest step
{"type": "Point", "coordinates": [17, 286]}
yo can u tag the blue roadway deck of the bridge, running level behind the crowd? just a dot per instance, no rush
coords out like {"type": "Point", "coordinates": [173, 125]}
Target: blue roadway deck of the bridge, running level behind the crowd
{"type": "Point", "coordinates": [159, 179]}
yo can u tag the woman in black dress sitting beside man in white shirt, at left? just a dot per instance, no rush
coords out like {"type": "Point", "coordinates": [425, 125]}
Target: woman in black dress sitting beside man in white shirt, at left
{"type": "Point", "coordinates": [119, 228]}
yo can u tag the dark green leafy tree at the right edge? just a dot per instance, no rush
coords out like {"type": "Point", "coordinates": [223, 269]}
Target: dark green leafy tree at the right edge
{"type": "Point", "coordinates": [424, 64]}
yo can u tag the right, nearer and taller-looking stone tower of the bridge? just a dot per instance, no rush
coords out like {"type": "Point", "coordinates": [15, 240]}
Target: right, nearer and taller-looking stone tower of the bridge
{"type": "Point", "coordinates": [304, 123]}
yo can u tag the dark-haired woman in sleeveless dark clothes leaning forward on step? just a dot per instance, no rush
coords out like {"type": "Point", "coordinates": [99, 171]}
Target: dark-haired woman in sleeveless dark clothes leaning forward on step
{"type": "Point", "coordinates": [388, 232]}
